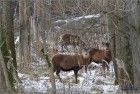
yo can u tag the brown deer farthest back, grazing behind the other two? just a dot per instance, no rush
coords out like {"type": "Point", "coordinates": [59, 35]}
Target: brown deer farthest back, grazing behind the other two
{"type": "Point", "coordinates": [69, 39]}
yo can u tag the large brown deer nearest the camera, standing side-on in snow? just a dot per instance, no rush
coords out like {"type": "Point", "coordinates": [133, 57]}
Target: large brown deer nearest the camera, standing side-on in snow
{"type": "Point", "coordinates": [69, 62]}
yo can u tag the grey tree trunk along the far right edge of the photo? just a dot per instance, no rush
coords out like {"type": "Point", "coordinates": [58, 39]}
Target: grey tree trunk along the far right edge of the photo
{"type": "Point", "coordinates": [134, 21]}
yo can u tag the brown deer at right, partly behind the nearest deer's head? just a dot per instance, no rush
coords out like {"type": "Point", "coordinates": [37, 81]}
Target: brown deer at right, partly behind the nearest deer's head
{"type": "Point", "coordinates": [101, 56]}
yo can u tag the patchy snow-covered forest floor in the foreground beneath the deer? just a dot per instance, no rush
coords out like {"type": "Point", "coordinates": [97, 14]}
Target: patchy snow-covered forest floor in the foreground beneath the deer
{"type": "Point", "coordinates": [91, 83]}
